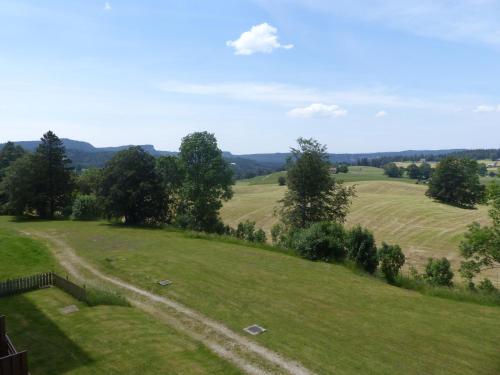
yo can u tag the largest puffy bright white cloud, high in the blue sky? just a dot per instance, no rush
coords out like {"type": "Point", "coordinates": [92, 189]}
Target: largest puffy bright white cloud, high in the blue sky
{"type": "Point", "coordinates": [261, 38]}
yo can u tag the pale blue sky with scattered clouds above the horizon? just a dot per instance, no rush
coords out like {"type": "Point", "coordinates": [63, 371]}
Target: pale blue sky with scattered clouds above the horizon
{"type": "Point", "coordinates": [360, 76]}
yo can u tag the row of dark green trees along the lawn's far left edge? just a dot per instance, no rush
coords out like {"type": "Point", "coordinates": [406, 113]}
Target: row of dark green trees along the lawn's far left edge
{"type": "Point", "coordinates": [133, 186]}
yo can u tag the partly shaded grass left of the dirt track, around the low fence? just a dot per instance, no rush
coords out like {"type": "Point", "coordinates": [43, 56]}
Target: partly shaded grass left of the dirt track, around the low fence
{"type": "Point", "coordinates": [97, 340]}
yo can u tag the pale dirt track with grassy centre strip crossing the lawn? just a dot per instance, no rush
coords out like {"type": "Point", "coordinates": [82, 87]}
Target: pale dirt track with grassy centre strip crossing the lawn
{"type": "Point", "coordinates": [248, 355]}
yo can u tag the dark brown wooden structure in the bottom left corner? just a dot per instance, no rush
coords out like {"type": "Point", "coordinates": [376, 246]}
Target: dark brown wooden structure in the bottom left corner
{"type": "Point", "coordinates": [11, 361]}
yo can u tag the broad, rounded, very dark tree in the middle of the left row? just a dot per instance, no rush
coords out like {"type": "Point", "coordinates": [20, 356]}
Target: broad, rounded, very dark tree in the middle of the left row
{"type": "Point", "coordinates": [131, 188]}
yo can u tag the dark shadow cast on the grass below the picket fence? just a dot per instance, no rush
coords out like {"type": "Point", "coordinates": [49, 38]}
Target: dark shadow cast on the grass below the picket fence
{"type": "Point", "coordinates": [50, 351]}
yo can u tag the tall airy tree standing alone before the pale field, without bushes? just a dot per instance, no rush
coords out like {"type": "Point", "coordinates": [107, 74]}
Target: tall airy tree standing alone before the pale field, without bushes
{"type": "Point", "coordinates": [313, 195]}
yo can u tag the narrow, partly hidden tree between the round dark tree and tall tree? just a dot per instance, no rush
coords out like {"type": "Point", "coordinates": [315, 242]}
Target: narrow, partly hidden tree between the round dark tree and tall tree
{"type": "Point", "coordinates": [171, 175]}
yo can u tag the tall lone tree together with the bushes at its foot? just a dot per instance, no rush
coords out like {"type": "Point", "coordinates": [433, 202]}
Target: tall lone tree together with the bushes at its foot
{"type": "Point", "coordinates": [313, 211]}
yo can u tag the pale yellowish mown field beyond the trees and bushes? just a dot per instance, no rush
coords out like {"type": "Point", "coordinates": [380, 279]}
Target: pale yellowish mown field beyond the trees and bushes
{"type": "Point", "coordinates": [395, 211]}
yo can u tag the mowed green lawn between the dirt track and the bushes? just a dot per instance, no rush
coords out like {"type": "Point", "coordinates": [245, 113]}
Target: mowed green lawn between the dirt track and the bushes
{"type": "Point", "coordinates": [327, 317]}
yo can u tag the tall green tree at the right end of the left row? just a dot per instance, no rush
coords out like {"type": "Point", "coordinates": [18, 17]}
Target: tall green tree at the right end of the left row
{"type": "Point", "coordinates": [208, 181]}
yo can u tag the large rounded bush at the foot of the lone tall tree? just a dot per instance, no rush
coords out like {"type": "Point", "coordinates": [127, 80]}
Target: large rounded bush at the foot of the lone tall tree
{"type": "Point", "coordinates": [321, 241]}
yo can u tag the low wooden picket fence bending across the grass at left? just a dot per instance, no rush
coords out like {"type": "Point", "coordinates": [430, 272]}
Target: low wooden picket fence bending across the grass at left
{"type": "Point", "coordinates": [42, 280]}
